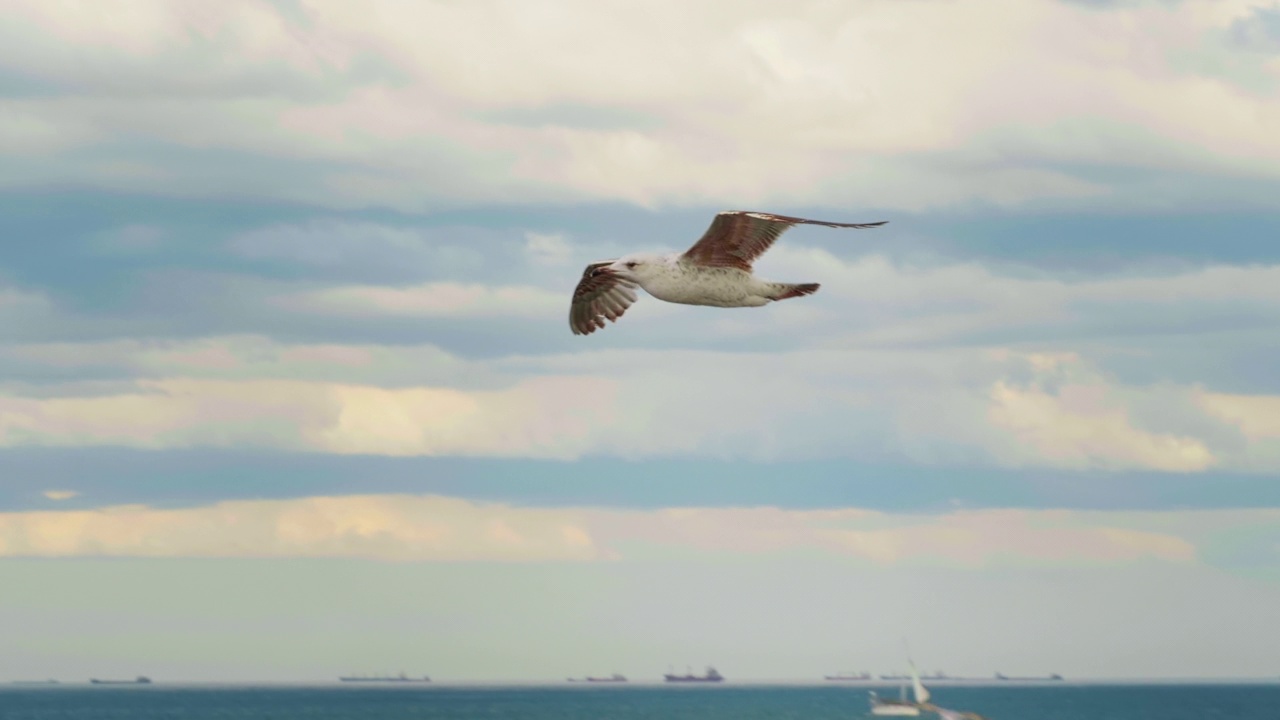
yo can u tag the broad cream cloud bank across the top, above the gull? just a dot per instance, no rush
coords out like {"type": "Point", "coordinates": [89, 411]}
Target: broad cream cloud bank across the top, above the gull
{"type": "Point", "coordinates": [904, 106]}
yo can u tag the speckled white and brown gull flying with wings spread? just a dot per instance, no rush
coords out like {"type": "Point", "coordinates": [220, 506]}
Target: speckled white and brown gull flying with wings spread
{"type": "Point", "coordinates": [716, 271]}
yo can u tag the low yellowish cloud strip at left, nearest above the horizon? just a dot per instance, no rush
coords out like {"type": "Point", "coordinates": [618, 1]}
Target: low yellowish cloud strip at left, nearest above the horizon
{"type": "Point", "coordinates": [372, 527]}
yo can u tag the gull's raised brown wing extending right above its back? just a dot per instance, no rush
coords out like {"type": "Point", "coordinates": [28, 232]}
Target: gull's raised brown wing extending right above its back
{"type": "Point", "coordinates": [738, 238]}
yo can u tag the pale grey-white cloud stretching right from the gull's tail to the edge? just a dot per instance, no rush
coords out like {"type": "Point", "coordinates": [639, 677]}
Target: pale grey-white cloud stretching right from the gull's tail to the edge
{"type": "Point", "coordinates": [875, 300]}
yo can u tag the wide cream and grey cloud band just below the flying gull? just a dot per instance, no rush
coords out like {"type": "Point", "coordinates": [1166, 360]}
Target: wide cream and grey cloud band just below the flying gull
{"type": "Point", "coordinates": [975, 407]}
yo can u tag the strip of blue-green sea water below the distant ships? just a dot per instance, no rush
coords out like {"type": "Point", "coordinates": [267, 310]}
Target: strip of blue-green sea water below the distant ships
{"type": "Point", "coordinates": [634, 703]}
